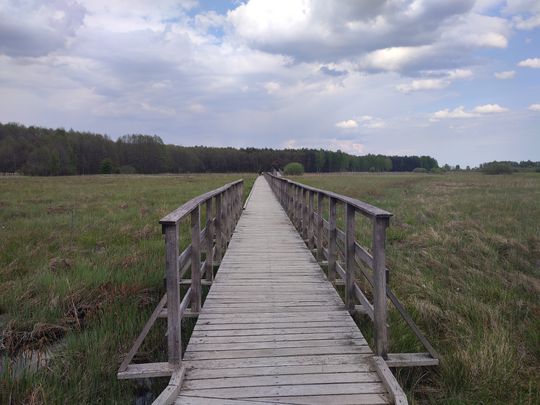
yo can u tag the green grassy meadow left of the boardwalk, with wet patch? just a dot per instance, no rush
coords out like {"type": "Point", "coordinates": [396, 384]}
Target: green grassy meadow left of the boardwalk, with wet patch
{"type": "Point", "coordinates": [81, 268]}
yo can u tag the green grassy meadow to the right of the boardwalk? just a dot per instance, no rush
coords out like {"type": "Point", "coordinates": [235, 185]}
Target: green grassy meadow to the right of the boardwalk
{"type": "Point", "coordinates": [464, 251]}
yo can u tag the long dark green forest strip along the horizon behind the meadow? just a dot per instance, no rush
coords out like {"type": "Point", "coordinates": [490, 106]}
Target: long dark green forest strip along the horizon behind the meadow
{"type": "Point", "coordinates": [51, 152]}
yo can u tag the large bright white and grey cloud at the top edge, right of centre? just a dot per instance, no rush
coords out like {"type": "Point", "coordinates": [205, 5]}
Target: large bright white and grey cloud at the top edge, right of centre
{"type": "Point", "coordinates": [388, 36]}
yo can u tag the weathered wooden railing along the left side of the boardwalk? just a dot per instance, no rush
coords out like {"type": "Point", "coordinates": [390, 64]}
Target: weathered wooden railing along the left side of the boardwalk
{"type": "Point", "coordinates": [222, 208]}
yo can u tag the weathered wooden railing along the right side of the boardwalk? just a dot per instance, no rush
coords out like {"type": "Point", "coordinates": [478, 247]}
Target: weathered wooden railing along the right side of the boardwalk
{"type": "Point", "coordinates": [306, 207]}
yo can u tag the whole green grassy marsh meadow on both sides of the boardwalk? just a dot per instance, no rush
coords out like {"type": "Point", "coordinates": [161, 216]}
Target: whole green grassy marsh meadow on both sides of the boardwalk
{"type": "Point", "coordinates": [81, 268]}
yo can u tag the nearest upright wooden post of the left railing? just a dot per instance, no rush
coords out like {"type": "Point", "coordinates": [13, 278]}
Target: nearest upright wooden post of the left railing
{"type": "Point", "coordinates": [174, 335]}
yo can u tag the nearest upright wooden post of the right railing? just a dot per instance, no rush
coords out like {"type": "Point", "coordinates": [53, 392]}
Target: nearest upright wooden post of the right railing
{"type": "Point", "coordinates": [379, 289]}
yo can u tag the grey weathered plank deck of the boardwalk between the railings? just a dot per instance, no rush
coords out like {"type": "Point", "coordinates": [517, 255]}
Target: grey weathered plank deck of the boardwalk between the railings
{"type": "Point", "coordinates": [273, 329]}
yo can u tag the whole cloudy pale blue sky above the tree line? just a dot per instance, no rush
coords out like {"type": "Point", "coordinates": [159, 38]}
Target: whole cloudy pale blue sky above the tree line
{"type": "Point", "coordinates": [457, 80]}
